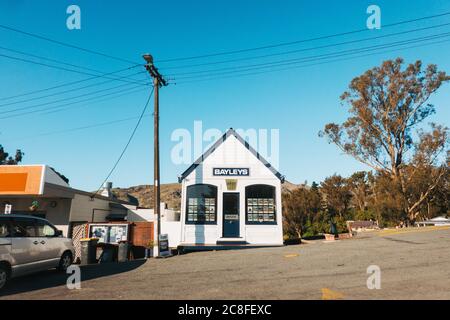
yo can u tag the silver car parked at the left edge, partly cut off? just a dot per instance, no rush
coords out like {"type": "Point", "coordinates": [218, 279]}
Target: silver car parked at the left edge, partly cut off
{"type": "Point", "coordinates": [29, 244]}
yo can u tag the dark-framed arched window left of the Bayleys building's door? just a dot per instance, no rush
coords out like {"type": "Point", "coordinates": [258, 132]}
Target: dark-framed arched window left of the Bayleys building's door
{"type": "Point", "coordinates": [201, 204]}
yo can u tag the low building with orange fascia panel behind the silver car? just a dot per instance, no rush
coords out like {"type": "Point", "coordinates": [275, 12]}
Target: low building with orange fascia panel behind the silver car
{"type": "Point", "coordinates": [38, 190]}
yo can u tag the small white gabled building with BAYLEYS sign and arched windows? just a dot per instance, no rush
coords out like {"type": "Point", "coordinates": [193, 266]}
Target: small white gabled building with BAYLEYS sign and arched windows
{"type": "Point", "coordinates": [231, 195]}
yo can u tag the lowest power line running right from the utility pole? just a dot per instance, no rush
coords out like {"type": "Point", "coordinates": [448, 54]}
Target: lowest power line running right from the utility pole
{"type": "Point", "coordinates": [304, 66]}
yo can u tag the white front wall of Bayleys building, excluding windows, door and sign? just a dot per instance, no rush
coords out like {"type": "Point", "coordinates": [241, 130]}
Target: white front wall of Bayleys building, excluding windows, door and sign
{"type": "Point", "coordinates": [232, 154]}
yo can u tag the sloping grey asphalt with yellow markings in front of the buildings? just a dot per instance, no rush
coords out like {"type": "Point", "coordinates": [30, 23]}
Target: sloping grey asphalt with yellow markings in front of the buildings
{"type": "Point", "coordinates": [414, 264]}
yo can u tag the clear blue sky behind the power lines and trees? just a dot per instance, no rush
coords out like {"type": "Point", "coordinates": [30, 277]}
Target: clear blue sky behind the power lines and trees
{"type": "Point", "coordinates": [298, 102]}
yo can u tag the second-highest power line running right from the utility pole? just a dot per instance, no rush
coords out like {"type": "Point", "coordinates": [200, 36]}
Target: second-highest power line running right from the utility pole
{"type": "Point", "coordinates": [305, 49]}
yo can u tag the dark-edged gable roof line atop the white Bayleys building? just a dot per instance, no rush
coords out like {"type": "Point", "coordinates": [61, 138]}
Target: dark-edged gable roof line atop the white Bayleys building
{"type": "Point", "coordinates": [214, 147]}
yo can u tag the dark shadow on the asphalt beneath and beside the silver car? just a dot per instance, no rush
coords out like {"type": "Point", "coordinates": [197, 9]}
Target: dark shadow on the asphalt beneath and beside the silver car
{"type": "Point", "coordinates": [53, 278]}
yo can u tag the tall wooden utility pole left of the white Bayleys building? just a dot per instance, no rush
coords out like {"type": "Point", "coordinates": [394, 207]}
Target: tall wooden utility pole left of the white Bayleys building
{"type": "Point", "coordinates": [158, 81]}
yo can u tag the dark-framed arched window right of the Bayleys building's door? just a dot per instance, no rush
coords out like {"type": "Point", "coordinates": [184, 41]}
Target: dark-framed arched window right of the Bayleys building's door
{"type": "Point", "coordinates": [260, 204]}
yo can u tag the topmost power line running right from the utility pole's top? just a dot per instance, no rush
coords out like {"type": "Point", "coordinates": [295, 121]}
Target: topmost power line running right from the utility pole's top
{"type": "Point", "coordinates": [301, 41]}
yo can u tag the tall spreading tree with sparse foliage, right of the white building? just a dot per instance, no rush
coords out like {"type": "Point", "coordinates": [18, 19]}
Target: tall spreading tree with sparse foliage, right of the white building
{"type": "Point", "coordinates": [386, 106]}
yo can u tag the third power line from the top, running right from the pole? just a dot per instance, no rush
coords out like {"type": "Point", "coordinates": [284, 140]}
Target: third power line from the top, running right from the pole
{"type": "Point", "coordinates": [310, 58]}
